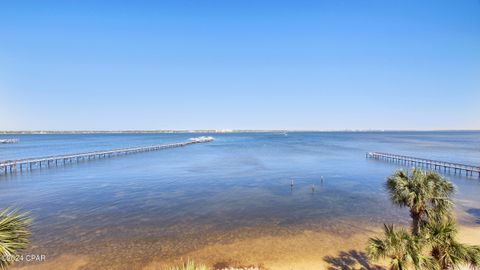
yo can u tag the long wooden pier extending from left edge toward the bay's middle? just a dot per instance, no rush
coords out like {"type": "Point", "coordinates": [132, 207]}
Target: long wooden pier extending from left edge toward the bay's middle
{"type": "Point", "coordinates": [13, 166]}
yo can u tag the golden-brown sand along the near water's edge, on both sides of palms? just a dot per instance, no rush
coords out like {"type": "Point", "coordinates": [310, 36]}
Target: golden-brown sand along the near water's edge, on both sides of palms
{"type": "Point", "coordinates": [307, 249]}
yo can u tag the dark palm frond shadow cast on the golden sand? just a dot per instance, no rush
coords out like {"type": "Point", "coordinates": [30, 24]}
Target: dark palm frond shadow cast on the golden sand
{"type": "Point", "coordinates": [351, 260]}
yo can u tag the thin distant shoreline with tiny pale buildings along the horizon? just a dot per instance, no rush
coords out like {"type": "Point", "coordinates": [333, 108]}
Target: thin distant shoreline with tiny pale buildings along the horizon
{"type": "Point", "coordinates": [38, 132]}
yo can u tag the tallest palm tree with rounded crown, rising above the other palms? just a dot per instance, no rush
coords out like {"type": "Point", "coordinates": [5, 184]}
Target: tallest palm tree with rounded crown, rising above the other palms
{"type": "Point", "coordinates": [424, 193]}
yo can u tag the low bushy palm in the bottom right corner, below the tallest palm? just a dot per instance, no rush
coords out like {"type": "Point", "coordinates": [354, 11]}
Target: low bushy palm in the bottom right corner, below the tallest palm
{"type": "Point", "coordinates": [447, 251]}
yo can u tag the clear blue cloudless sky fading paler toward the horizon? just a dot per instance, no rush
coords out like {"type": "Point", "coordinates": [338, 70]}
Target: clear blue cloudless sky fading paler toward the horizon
{"type": "Point", "coordinates": [240, 64]}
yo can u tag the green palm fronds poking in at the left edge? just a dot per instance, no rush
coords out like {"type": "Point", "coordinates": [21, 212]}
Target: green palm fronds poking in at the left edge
{"type": "Point", "coordinates": [14, 232]}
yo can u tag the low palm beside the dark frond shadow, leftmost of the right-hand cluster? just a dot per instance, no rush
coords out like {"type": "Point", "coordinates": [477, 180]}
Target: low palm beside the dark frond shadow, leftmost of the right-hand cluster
{"type": "Point", "coordinates": [403, 250]}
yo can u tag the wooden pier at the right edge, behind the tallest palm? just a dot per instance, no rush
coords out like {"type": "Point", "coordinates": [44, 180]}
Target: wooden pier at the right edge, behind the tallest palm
{"type": "Point", "coordinates": [446, 167]}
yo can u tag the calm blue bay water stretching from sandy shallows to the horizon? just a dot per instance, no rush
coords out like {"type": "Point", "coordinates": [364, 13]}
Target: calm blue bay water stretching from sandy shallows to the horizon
{"type": "Point", "coordinates": [169, 202]}
